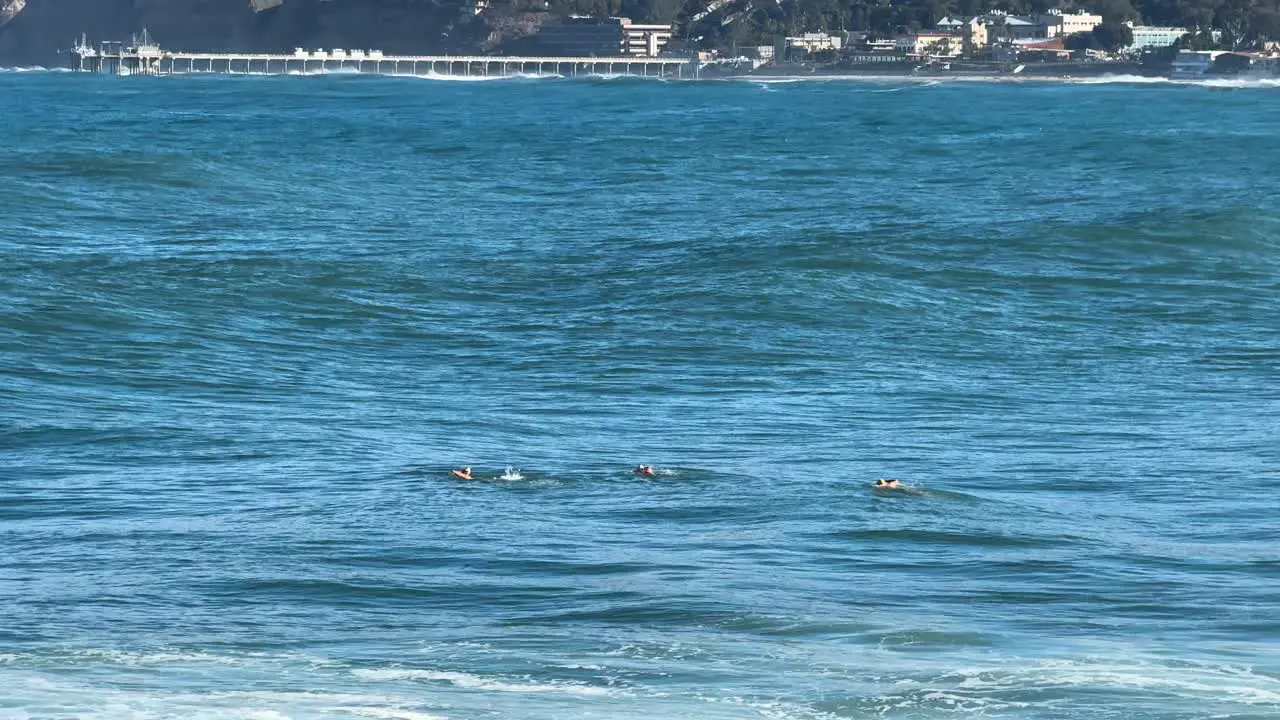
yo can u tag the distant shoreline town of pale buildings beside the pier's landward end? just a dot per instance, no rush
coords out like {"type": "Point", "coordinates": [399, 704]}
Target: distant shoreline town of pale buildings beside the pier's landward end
{"type": "Point", "coordinates": [1052, 43]}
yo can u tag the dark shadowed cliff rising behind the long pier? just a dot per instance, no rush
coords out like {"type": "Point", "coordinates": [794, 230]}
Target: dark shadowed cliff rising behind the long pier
{"type": "Point", "coordinates": [38, 30]}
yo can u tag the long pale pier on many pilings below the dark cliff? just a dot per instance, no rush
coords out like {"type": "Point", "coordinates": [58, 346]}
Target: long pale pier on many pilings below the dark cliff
{"type": "Point", "coordinates": [145, 58]}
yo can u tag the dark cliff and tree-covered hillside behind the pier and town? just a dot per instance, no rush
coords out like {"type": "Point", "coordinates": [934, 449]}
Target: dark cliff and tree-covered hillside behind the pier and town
{"type": "Point", "coordinates": [34, 31]}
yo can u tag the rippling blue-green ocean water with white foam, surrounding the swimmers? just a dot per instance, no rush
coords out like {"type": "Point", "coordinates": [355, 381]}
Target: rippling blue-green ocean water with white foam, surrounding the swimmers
{"type": "Point", "coordinates": [249, 325]}
